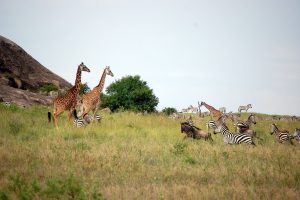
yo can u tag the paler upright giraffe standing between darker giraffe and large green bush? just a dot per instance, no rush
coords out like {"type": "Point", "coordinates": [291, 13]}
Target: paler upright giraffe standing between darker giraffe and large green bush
{"type": "Point", "coordinates": [91, 101]}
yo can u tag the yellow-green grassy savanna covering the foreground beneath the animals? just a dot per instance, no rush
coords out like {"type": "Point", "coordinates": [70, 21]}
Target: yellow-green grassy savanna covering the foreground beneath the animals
{"type": "Point", "coordinates": [130, 156]}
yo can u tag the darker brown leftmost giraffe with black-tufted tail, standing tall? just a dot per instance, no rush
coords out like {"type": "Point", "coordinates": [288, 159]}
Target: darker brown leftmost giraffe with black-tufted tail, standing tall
{"type": "Point", "coordinates": [69, 100]}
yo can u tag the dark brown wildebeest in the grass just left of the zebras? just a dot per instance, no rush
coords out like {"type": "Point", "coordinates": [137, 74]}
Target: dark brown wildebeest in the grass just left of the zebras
{"type": "Point", "coordinates": [194, 132]}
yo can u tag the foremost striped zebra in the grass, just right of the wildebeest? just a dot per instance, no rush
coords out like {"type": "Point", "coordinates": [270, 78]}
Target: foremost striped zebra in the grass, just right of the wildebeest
{"type": "Point", "coordinates": [229, 138]}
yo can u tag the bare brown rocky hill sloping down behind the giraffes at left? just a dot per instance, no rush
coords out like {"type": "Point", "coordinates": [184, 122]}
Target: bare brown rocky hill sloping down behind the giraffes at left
{"type": "Point", "coordinates": [22, 77]}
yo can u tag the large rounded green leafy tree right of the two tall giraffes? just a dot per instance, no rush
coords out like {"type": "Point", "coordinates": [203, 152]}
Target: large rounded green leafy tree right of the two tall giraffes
{"type": "Point", "coordinates": [130, 93]}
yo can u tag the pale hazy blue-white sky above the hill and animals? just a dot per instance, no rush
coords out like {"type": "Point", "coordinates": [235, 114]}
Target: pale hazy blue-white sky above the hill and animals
{"type": "Point", "coordinates": [226, 53]}
